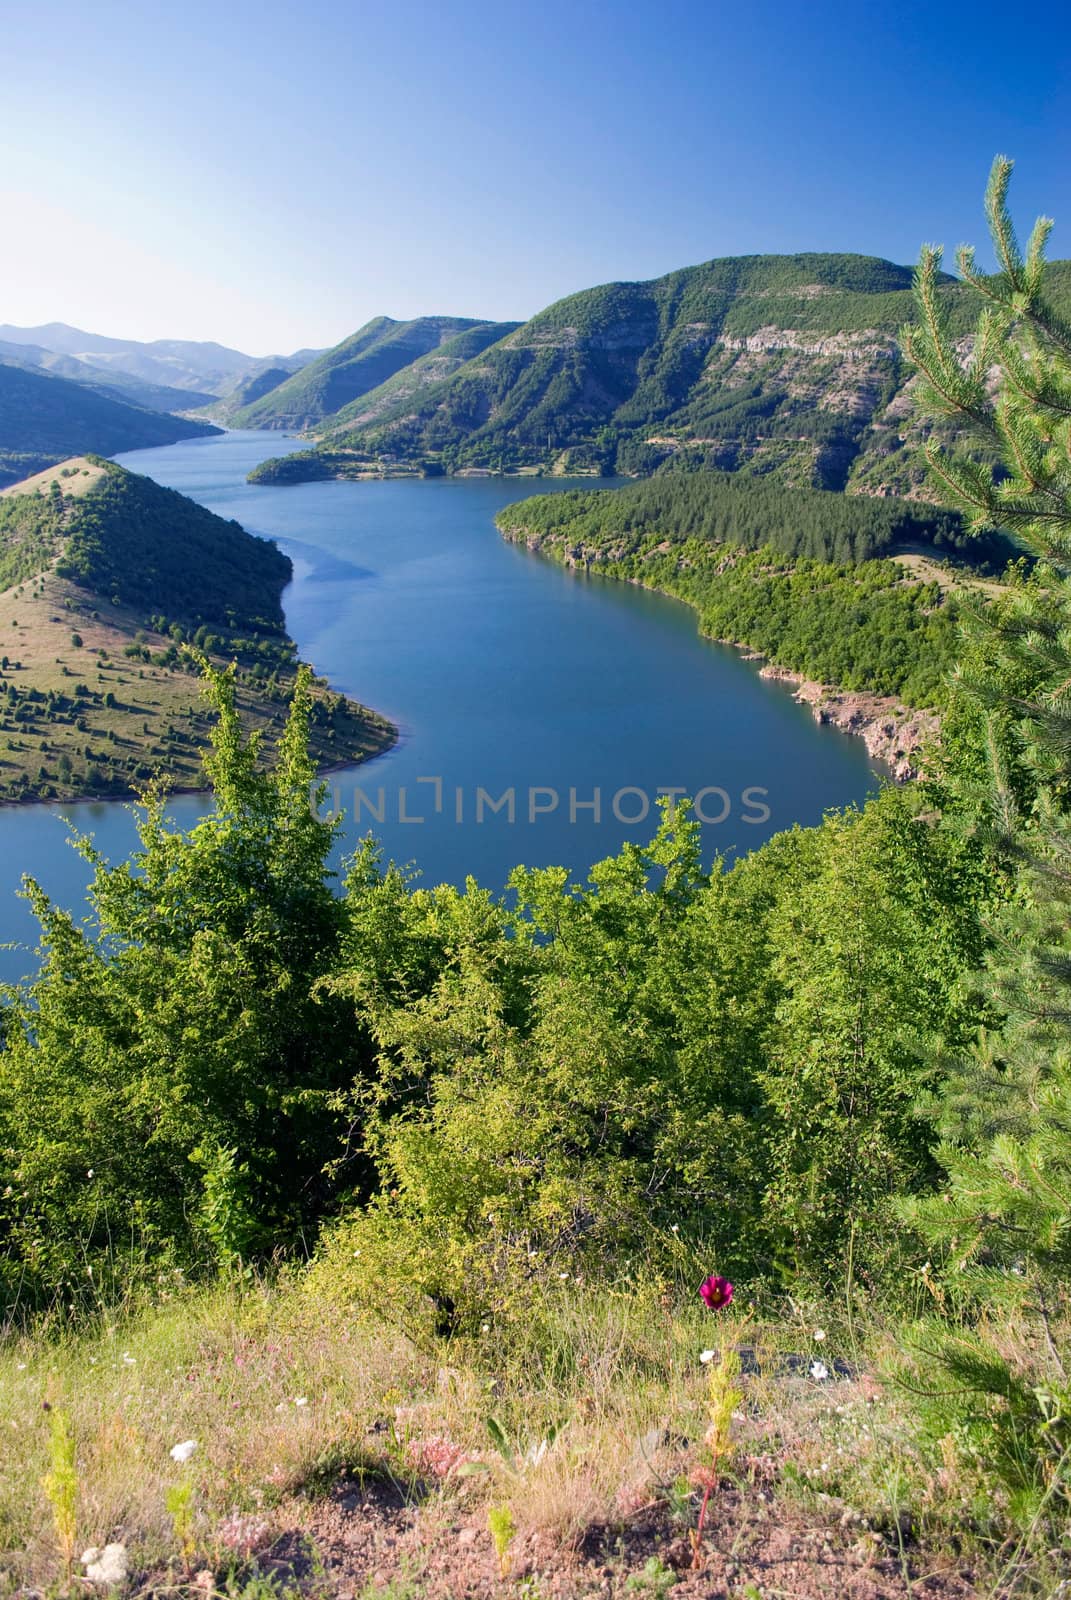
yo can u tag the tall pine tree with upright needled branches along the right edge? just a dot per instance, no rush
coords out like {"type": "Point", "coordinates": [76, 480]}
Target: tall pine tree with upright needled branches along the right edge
{"type": "Point", "coordinates": [1003, 1225]}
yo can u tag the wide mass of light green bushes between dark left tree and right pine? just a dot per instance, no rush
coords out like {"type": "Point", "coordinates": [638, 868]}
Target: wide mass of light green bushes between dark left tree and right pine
{"type": "Point", "coordinates": [652, 1071]}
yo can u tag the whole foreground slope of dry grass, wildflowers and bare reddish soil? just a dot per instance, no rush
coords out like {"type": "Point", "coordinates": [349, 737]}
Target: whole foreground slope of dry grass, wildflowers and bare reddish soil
{"type": "Point", "coordinates": [323, 1430]}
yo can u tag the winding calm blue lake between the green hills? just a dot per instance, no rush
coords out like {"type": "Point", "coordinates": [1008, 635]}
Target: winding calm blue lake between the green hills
{"type": "Point", "coordinates": [540, 711]}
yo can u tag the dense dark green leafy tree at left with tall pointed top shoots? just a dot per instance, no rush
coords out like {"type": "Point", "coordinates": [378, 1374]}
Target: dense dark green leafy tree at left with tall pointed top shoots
{"type": "Point", "coordinates": [178, 1026]}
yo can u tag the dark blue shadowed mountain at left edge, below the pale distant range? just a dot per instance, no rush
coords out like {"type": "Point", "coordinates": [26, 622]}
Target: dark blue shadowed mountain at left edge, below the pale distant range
{"type": "Point", "coordinates": [44, 420]}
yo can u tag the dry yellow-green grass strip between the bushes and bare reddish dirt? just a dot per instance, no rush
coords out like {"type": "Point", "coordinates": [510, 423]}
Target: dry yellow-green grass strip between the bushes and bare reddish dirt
{"type": "Point", "coordinates": [592, 1422]}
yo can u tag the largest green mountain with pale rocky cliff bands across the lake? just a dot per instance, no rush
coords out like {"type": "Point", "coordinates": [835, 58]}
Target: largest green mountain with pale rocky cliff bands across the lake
{"type": "Point", "coordinates": [785, 366]}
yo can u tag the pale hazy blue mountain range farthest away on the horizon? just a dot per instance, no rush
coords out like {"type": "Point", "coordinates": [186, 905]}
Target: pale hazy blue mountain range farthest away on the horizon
{"type": "Point", "coordinates": [177, 364]}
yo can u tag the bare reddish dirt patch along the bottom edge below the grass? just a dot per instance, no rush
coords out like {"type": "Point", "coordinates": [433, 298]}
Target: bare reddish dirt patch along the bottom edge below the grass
{"type": "Point", "coordinates": [358, 1542]}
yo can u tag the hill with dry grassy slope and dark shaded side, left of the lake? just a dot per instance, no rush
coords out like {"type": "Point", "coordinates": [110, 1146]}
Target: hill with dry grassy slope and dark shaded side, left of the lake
{"type": "Point", "coordinates": [105, 578]}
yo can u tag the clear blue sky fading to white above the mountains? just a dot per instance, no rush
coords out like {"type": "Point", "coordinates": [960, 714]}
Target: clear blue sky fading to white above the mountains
{"type": "Point", "coordinates": [273, 175]}
